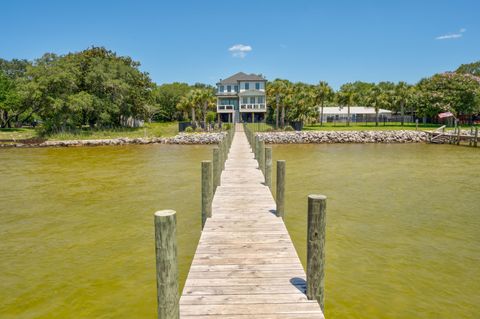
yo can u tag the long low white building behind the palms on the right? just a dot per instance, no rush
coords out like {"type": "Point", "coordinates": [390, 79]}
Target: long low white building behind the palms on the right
{"type": "Point", "coordinates": [357, 113]}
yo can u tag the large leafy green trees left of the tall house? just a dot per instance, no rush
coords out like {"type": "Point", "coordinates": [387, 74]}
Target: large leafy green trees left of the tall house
{"type": "Point", "coordinates": [94, 88]}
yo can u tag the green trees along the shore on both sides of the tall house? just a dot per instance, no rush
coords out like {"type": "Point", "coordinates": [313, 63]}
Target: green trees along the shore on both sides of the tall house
{"type": "Point", "coordinates": [99, 89]}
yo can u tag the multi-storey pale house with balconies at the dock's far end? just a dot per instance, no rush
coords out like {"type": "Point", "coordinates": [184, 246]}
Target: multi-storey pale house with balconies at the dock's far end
{"type": "Point", "coordinates": [242, 98]}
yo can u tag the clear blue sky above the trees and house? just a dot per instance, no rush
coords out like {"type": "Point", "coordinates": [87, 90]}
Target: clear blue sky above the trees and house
{"type": "Point", "coordinates": [189, 41]}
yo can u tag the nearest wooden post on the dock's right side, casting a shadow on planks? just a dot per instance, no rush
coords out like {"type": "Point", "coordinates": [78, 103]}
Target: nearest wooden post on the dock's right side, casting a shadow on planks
{"type": "Point", "coordinates": [316, 248]}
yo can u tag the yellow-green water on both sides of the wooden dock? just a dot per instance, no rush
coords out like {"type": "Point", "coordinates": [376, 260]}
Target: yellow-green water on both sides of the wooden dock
{"type": "Point", "coordinates": [76, 227]}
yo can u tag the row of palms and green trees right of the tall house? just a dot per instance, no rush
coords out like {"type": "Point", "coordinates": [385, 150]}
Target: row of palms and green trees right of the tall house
{"type": "Point", "coordinates": [457, 92]}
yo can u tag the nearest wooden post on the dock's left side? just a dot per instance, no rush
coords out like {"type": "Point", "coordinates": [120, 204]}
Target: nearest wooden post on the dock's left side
{"type": "Point", "coordinates": [166, 261]}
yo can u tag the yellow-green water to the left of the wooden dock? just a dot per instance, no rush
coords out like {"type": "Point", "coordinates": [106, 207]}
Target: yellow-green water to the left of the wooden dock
{"type": "Point", "coordinates": [76, 227]}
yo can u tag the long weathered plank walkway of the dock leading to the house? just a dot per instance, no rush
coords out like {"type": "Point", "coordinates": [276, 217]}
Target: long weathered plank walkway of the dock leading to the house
{"type": "Point", "coordinates": [245, 265]}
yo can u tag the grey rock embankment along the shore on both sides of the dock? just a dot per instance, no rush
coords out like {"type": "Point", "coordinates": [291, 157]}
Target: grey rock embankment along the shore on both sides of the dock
{"type": "Point", "coordinates": [302, 137]}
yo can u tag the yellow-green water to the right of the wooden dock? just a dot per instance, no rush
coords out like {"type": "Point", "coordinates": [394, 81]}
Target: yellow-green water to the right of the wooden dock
{"type": "Point", "coordinates": [403, 226]}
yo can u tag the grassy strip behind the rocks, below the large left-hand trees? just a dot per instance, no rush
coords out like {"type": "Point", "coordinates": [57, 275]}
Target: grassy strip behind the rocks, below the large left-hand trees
{"type": "Point", "coordinates": [149, 130]}
